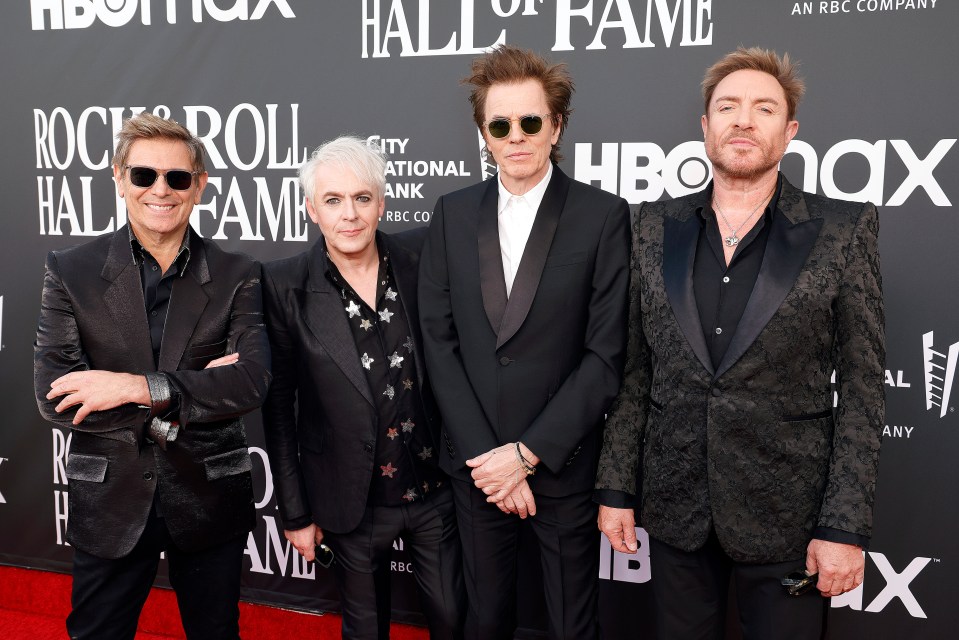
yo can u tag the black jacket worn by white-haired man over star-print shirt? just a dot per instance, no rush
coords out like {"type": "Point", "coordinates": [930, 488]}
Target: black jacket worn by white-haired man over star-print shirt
{"type": "Point", "coordinates": [319, 416]}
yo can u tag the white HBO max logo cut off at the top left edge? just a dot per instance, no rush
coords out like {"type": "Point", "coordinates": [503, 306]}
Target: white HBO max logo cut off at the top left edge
{"type": "Point", "coordinates": [80, 14]}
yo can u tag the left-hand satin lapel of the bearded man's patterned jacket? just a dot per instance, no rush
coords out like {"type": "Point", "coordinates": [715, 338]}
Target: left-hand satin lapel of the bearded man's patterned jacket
{"type": "Point", "coordinates": [680, 239]}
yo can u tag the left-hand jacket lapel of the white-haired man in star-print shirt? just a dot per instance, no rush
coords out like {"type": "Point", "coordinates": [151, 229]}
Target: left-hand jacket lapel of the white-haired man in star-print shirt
{"type": "Point", "coordinates": [324, 317]}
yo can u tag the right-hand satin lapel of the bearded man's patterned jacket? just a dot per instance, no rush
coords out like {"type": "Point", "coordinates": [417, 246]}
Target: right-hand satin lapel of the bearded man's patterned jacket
{"type": "Point", "coordinates": [791, 237]}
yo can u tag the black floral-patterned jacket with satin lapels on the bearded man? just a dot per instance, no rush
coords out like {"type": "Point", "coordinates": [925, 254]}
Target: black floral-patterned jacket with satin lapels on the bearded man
{"type": "Point", "coordinates": [754, 447]}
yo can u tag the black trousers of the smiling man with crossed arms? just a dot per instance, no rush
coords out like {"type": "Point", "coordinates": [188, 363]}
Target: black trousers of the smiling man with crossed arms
{"type": "Point", "coordinates": [109, 594]}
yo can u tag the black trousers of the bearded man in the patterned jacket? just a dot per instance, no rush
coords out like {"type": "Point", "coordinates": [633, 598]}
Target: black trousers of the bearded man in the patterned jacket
{"type": "Point", "coordinates": [692, 588]}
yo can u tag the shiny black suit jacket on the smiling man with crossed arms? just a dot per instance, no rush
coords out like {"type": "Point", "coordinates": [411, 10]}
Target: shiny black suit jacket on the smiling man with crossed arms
{"type": "Point", "coordinates": [93, 317]}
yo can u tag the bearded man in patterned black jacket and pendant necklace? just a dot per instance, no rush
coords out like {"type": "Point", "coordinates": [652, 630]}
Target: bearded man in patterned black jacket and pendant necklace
{"type": "Point", "coordinates": [745, 299]}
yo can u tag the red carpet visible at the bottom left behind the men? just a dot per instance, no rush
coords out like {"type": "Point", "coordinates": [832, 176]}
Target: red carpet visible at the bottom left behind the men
{"type": "Point", "coordinates": [34, 604]}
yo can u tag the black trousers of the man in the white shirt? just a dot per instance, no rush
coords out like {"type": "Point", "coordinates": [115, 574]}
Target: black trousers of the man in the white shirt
{"type": "Point", "coordinates": [569, 554]}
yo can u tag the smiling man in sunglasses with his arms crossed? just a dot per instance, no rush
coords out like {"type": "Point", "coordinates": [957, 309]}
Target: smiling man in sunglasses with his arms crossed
{"type": "Point", "coordinates": [150, 346]}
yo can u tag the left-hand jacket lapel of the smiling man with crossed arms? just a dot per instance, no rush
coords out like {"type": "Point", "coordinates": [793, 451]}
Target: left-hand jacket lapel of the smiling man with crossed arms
{"type": "Point", "coordinates": [124, 299]}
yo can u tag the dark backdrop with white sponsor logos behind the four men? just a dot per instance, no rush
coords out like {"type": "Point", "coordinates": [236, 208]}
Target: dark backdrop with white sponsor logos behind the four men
{"type": "Point", "coordinates": [265, 81]}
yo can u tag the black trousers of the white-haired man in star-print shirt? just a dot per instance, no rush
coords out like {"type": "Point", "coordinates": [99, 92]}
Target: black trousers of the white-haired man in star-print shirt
{"type": "Point", "coordinates": [362, 567]}
